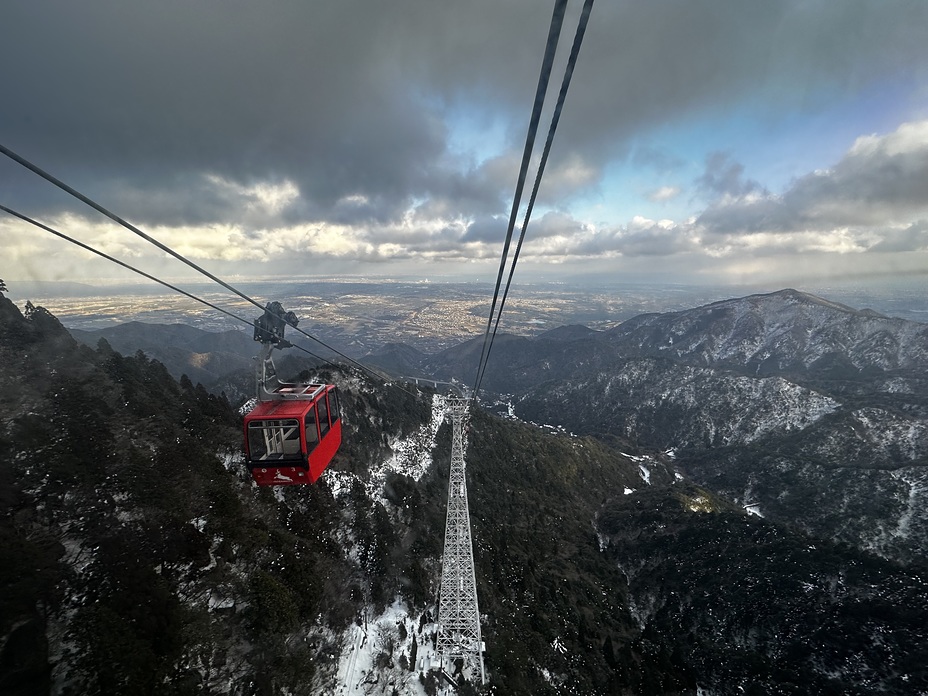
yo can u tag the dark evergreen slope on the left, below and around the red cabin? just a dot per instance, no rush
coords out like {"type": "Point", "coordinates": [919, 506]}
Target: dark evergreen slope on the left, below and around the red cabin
{"type": "Point", "coordinates": [138, 557]}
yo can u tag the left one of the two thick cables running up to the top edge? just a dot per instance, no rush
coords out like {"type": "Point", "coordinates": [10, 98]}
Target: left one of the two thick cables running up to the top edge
{"type": "Point", "coordinates": [554, 32]}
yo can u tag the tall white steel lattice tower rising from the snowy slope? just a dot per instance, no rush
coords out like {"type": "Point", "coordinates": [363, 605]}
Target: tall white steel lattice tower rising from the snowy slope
{"type": "Point", "coordinates": [458, 615]}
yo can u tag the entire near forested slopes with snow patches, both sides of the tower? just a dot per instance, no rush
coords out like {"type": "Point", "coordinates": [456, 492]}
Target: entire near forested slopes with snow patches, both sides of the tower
{"type": "Point", "coordinates": [138, 557]}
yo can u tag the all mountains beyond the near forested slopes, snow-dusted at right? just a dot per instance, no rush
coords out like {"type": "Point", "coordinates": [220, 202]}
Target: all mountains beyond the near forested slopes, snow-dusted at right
{"type": "Point", "coordinates": [809, 411]}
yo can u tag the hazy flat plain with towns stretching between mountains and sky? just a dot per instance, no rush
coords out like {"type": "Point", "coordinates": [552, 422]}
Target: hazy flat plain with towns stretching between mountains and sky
{"type": "Point", "coordinates": [358, 302]}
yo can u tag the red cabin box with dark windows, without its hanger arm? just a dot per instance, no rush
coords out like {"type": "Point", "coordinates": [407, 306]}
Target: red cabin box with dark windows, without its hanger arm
{"type": "Point", "coordinates": [292, 440]}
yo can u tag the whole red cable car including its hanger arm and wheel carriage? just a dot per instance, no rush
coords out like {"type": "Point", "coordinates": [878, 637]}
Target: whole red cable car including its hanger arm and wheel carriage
{"type": "Point", "coordinates": [295, 429]}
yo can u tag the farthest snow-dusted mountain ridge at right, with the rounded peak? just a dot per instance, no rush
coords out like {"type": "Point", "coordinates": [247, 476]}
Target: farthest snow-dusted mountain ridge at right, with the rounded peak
{"type": "Point", "coordinates": [783, 333]}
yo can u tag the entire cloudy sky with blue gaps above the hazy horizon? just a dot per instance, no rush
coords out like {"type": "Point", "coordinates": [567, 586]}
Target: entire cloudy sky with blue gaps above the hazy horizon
{"type": "Point", "coordinates": [783, 143]}
